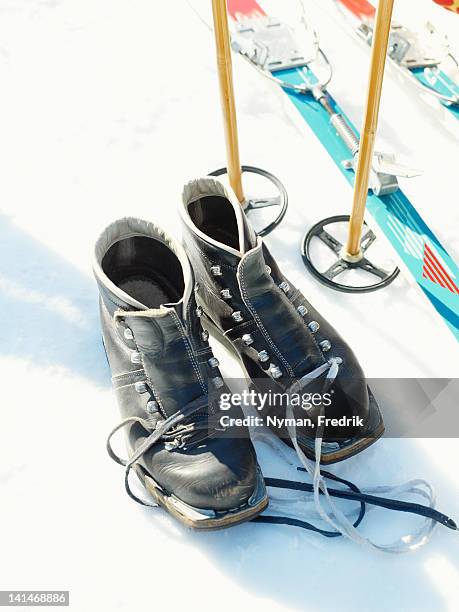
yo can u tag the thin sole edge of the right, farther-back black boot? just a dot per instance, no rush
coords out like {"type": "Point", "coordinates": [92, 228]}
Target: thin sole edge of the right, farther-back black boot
{"type": "Point", "coordinates": [328, 456]}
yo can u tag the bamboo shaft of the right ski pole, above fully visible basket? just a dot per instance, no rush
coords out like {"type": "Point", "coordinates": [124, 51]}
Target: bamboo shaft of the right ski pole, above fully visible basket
{"type": "Point", "coordinates": [378, 59]}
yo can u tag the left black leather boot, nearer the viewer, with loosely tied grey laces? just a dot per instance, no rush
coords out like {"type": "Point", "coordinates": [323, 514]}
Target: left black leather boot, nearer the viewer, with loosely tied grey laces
{"type": "Point", "coordinates": [162, 368]}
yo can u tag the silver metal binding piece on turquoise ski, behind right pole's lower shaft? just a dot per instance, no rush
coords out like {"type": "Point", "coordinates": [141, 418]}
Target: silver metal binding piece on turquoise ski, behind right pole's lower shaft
{"type": "Point", "coordinates": [384, 173]}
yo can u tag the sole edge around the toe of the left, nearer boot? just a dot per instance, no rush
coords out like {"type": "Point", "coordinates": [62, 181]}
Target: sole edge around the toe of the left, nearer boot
{"type": "Point", "coordinates": [207, 520]}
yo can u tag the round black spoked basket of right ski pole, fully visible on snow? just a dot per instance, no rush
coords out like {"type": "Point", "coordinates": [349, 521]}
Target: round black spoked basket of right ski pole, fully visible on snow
{"type": "Point", "coordinates": [355, 266]}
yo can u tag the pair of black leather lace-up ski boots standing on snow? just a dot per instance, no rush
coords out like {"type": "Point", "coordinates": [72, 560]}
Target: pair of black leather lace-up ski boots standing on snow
{"type": "Point", "coordinates": [157, 310]}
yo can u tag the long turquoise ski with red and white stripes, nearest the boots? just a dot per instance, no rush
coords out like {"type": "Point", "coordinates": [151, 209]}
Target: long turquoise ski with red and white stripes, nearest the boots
{"type": "Point", "coordinates": [268, 45]}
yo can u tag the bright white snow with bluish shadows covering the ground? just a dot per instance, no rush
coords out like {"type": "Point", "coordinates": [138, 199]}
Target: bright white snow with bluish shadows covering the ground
{"type": "Point", "coordinates": [107, 108]}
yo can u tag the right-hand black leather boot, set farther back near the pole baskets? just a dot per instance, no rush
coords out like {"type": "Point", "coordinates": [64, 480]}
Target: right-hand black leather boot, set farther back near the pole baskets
{"type": "Point", "coordinates": [281, 340]}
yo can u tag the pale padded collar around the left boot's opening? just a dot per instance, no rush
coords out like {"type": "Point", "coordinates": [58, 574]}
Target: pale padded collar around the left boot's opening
{"type": "Point", "coordinates": [129, 227]}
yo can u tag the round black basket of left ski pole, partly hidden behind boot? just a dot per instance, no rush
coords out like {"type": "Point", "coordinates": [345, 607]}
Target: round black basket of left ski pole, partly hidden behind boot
{"type": "Point", "coordinates": [257, 209]}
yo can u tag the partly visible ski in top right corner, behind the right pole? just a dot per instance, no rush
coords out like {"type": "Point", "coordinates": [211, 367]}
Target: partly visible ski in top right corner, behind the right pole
{"type": "Point", "coordinates": [416, 55]}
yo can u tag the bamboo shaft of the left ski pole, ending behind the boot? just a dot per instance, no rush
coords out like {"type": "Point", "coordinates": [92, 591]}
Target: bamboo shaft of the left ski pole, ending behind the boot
{"type": "Point", "coordinates": [225, 74]}
